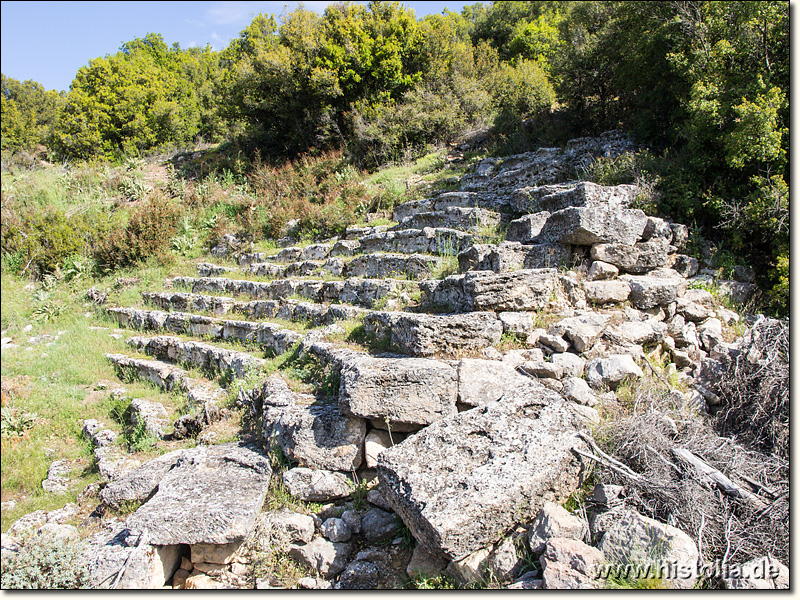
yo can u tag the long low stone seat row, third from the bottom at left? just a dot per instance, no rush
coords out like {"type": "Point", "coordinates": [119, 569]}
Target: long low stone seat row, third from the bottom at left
{"type": "Point", "coordinates": [270, 336]}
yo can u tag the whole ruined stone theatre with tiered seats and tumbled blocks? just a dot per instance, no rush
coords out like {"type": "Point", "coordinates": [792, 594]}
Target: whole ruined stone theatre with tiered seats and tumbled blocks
{"type": "Point", "coordinates": [462, 380]}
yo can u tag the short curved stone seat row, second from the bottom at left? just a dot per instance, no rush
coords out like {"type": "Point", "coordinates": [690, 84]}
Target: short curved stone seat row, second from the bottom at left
{"type": "Point", "coordinates": [211, 359]}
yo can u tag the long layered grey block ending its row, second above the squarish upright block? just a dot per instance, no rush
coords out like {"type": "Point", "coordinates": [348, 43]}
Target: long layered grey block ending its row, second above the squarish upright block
{"type": "Point", "coordinates": [523, 290]}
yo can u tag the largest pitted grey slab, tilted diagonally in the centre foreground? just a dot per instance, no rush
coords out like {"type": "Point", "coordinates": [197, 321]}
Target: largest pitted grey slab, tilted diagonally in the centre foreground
{"type": "Point", "coordinates": [484, 469]}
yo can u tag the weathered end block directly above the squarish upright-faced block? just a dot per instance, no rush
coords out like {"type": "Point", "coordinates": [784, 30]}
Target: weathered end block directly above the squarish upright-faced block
{"type": "Point", "coordinates": [426, 335]}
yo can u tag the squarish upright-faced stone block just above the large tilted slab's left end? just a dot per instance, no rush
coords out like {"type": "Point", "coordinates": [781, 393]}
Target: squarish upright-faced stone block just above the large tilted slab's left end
{"type": "Point", "coordinates": [408, 390]}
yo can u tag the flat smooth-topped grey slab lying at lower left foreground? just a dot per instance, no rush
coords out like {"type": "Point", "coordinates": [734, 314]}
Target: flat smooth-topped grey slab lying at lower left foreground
{"type": "Point", "coordinates": [211, 496]}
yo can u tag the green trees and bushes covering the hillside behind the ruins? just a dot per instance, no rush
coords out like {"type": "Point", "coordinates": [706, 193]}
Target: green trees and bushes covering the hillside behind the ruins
{"type": "Point", "coordinates": [702, 87]}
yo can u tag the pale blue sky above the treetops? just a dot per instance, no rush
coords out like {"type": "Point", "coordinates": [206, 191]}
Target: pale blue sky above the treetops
{"type": "Point", "coordinates": [49, 41]}
